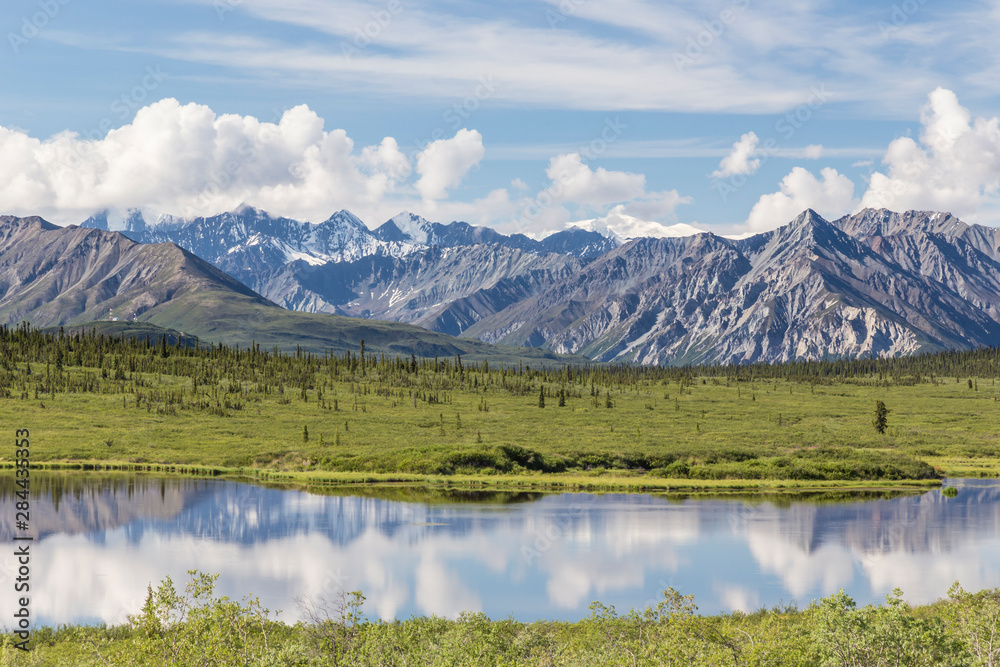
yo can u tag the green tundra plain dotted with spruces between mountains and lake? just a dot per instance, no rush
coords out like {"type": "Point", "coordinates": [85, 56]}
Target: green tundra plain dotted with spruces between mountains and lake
{"type": "Point", "coordinates": [140, 403]}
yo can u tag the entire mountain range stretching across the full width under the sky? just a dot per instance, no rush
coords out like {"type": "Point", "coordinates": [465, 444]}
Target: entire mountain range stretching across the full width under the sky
{"type": "Point", "coordinates": [873, 283]}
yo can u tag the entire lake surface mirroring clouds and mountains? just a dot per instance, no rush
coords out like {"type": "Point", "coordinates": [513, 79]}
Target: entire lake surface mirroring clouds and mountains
{"type": "Point", "coordinates": [547, 558]}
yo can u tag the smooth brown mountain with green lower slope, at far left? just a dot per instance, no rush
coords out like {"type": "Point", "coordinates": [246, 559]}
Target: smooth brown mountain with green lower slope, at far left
{"type": "Point", "coordinates": [54, 276]}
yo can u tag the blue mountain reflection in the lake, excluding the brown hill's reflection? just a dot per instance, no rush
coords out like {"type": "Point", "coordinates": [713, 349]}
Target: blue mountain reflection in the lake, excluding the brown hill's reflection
{"type": "Point", "coordinates": [917, 523]}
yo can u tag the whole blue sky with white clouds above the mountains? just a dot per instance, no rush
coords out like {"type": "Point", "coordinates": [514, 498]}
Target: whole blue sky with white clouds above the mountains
{"type": "Point", "coordinates": [526, 115]}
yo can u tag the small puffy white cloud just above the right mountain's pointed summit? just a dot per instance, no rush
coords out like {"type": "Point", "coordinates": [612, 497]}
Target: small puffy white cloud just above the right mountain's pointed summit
{"type": "Point", "coordinates": [831, 195]}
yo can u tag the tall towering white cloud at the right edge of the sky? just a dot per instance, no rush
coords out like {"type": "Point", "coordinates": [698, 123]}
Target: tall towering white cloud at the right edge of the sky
{"type": "Point", "coordinates": [955, 165]}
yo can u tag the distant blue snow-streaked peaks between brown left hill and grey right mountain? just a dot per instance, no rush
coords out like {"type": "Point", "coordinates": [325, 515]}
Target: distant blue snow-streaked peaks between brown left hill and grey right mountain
{"type": "Point", "coordinates": [407, 270]}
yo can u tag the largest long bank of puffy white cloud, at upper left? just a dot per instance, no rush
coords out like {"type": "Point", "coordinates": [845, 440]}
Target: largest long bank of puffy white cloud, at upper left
{"type": "Point", "coordinates": [187, 160]}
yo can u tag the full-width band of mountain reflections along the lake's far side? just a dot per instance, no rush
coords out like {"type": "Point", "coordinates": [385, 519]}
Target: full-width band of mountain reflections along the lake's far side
{"type": "Point", "coordinates": [238, 513]}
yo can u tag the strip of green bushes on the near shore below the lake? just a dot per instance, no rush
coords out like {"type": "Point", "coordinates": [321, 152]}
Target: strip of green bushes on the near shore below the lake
{"type": "Point", "coordinates": [196, 628]}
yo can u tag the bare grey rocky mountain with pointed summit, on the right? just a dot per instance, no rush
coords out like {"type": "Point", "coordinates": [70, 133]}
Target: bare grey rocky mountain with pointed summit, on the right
{"type": "Point", "coordinates": [878, 283]}
